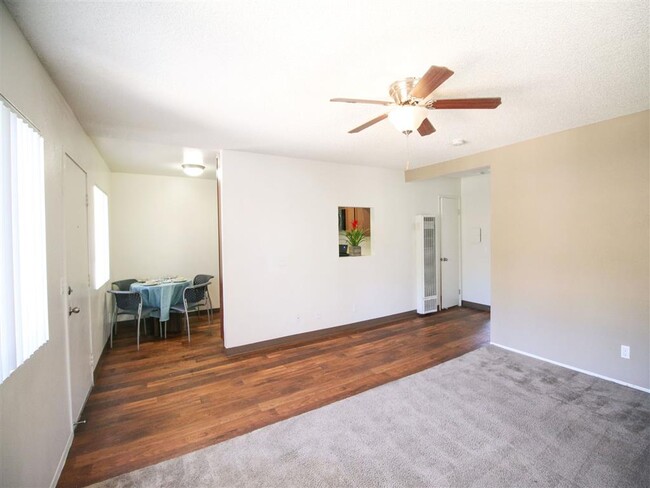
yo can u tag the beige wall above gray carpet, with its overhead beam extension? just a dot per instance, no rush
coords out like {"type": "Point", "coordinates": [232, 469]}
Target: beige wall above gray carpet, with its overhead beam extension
{"type": "Point", "coordinates": [570, 245]}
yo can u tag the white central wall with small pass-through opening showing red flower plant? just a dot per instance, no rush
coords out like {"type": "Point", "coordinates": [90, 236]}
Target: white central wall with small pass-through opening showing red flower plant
{"type": "Point", "coordinates": [282, 274]}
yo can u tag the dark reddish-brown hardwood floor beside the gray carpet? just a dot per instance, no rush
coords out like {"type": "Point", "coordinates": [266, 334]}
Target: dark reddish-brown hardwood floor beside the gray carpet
{"type": "Point", "coordinates": [171, 397]}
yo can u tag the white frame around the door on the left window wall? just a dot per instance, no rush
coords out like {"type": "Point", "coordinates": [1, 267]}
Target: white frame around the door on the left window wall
{"type": "Point", "coordinates": [64, 289]}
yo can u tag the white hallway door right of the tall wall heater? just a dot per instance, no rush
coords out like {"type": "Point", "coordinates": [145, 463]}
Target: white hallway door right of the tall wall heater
{"type": "Point", "coordinates": [449, 252]}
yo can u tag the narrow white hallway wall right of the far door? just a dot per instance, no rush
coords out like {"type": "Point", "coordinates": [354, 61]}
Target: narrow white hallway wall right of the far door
{"type": "Point", "coordinates": [475, 238]}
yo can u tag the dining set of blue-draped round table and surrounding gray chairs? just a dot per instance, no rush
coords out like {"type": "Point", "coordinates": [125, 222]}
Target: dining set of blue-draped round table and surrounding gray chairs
{"type": "Point", "coordinates": [159, 299]}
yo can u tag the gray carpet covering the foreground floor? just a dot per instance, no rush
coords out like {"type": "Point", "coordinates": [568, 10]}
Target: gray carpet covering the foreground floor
{"type": "Point", "coordinates": [491, 418]}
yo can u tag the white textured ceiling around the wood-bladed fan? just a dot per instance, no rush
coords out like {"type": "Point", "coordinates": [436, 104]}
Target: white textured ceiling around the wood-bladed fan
{"type": "Point", "coordinates": [147, 79]}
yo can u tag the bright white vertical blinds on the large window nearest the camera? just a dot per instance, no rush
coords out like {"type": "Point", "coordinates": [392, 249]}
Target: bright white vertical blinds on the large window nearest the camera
{"type": "Point", "coordinates": [23, 271]}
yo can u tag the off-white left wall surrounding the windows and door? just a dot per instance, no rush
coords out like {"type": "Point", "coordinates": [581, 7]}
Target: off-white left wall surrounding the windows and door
{"type": "Point", "coordinates": [35, 418]}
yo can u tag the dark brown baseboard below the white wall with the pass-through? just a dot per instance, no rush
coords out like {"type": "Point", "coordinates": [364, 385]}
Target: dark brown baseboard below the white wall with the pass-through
{"type": "Point", "coordinates": [320, 334]}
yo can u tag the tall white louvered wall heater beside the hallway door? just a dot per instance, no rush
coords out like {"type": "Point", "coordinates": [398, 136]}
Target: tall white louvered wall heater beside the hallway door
{"type": "Point", "coordinates": [426, 262]}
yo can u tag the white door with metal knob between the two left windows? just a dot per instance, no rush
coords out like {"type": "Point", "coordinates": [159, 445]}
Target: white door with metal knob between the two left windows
{"type": "Point", "coordinates": [78, 285]}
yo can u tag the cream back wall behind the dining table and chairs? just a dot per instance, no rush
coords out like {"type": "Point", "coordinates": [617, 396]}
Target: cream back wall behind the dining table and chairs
{"type": "Point", "coordinates": [164, 226]}
